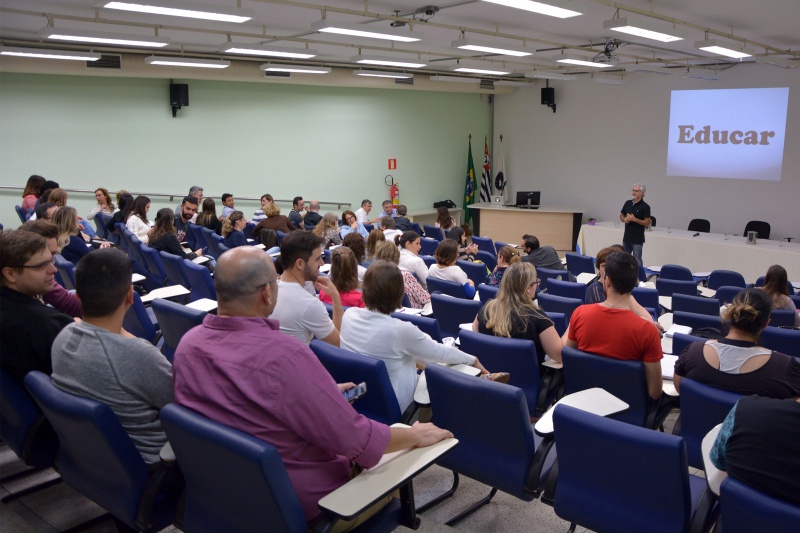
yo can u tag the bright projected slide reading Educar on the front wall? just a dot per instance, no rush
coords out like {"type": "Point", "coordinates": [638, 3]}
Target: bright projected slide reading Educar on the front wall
{"type": "Point", "coordinates": [727, 133]}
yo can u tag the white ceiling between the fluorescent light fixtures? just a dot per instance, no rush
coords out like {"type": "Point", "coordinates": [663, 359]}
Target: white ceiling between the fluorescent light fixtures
{"type": "Point", "coordinates": [766, 25]}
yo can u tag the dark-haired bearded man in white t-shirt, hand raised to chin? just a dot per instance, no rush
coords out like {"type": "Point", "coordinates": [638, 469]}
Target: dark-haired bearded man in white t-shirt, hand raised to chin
{"type": "Point", "coordinates": [299, 311]}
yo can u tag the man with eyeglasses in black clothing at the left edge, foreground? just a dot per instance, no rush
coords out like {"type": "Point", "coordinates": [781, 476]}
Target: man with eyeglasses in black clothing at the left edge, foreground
{"type": "Point", "coordinates": [27, 326]}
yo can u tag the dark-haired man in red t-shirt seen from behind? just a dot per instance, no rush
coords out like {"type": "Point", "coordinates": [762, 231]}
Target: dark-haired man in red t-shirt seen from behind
{"type": "Point", "coordinates": [611, 329]}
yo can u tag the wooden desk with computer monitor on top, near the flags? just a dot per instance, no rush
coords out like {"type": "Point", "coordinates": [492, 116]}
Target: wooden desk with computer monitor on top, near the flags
{"type": "Point", "coordinates": [552, 225]}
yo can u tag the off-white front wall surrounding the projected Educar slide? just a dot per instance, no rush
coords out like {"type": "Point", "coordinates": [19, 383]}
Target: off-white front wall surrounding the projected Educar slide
{"type": "Point", "coordinates": [604, 138]}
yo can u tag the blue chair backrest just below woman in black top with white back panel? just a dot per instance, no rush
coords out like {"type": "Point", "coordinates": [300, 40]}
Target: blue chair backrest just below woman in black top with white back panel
{"type": "Point", "coordinates": [702, 408]}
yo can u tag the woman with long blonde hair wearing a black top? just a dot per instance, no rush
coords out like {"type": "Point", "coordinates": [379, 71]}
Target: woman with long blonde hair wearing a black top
{"type": "Point", "coordinates": [513, 314]}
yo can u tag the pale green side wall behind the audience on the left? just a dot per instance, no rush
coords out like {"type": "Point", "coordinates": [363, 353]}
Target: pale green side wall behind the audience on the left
{"type": "Point", "coordinates": [244, 138]}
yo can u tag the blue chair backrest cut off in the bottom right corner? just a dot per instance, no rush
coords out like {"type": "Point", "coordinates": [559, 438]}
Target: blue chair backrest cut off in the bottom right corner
{"type": "Point", "coordinates": [745, 509]}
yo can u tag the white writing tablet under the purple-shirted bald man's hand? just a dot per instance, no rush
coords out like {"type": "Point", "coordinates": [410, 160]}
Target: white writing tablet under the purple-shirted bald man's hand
{"type": "Point", "coordinates": [370, 485]}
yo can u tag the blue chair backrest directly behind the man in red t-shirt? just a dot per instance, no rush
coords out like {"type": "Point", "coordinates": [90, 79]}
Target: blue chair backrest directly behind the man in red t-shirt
{"type": "Point", "coordinates": [623, 379]}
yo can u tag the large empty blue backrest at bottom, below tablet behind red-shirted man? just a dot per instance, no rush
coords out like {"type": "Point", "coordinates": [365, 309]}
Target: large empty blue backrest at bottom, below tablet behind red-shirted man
{"type": "Point", "coordinates": [603, 483]}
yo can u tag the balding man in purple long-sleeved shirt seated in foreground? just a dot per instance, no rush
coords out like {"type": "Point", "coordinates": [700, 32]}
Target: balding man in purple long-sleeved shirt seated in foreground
{"type": "Point", "coordinates": [219, 374]}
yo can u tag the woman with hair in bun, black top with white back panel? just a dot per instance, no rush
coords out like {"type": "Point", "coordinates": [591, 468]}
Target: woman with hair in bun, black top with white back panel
{"type": "Point", "coordinates": [736, 362]}
